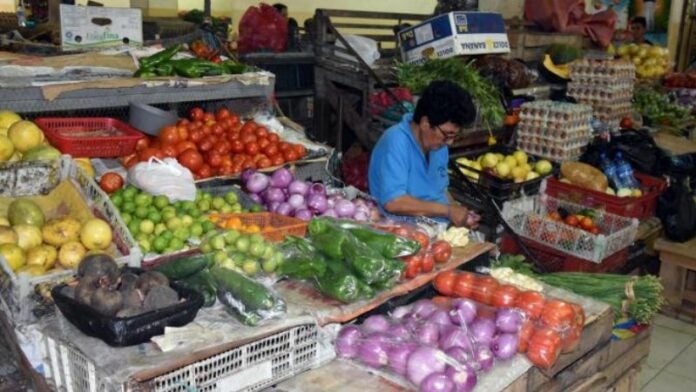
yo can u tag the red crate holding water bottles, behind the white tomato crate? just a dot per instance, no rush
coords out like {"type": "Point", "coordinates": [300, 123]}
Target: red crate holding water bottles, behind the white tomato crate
{"type": "Point", "coordinates": [642, 207]}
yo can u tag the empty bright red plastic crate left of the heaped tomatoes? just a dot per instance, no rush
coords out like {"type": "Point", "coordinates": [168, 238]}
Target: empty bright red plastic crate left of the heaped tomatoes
{"type": "Point", "coordinates": [58, 130]}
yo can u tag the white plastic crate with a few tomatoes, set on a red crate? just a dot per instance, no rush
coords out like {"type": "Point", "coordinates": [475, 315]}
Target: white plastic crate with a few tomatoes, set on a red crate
{"type": "Point", "coordinates": [528, 218]}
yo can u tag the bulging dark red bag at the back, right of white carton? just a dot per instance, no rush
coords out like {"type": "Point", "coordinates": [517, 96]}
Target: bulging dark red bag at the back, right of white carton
{"type": "Point", "coordinates": [262, 28]}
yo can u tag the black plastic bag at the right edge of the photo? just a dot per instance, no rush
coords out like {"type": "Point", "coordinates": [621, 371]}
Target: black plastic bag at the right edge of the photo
{"type": "Point", "coordinates": [676, 209]}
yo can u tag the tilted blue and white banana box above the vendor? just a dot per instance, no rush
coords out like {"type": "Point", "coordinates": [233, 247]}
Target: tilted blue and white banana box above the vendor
{"type": "Point", "coordinates": [454, 34]}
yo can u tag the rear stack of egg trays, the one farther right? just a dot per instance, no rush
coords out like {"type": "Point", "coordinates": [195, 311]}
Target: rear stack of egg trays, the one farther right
{"type": "Point", "coordinates": [606, 85]}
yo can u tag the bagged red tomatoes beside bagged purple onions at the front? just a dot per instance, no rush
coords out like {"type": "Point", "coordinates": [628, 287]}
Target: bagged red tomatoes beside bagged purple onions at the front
{"type": "Point", "coordinates": [551, 326]}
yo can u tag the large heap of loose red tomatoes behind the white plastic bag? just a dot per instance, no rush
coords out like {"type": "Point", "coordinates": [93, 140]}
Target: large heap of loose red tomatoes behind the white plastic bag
{"type": "Point", "coordinates": [217, 144]}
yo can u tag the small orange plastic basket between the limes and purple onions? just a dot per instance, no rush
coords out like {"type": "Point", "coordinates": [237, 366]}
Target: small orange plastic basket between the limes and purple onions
{"type": "Point", "coordinates": [274, 227]}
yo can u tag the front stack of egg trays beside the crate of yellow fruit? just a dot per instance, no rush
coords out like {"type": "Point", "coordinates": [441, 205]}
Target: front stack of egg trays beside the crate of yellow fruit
{"type": "Point", "coordinates": [554, 130]}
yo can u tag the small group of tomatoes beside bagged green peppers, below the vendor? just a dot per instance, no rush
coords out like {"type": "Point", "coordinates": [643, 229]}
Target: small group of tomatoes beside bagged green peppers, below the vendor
{"type": "Point", "coordinates": [437, 252]}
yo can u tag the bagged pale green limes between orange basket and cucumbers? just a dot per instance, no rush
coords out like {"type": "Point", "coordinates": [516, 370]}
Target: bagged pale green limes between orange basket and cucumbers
{"type": "Point", "coordinates": [246, 253]}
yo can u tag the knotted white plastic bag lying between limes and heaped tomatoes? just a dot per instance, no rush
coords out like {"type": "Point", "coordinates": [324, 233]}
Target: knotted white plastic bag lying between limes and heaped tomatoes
{"type": "Point", "coordinates": [164, 177]}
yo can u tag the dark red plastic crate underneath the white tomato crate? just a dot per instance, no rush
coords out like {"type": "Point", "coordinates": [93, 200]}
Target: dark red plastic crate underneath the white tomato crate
{"type": "Point", "coordinates": [557, 261]}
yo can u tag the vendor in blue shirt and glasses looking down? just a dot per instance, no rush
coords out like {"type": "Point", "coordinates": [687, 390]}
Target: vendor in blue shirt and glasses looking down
{"type": "Point", "coordinates": [408, 168]}
